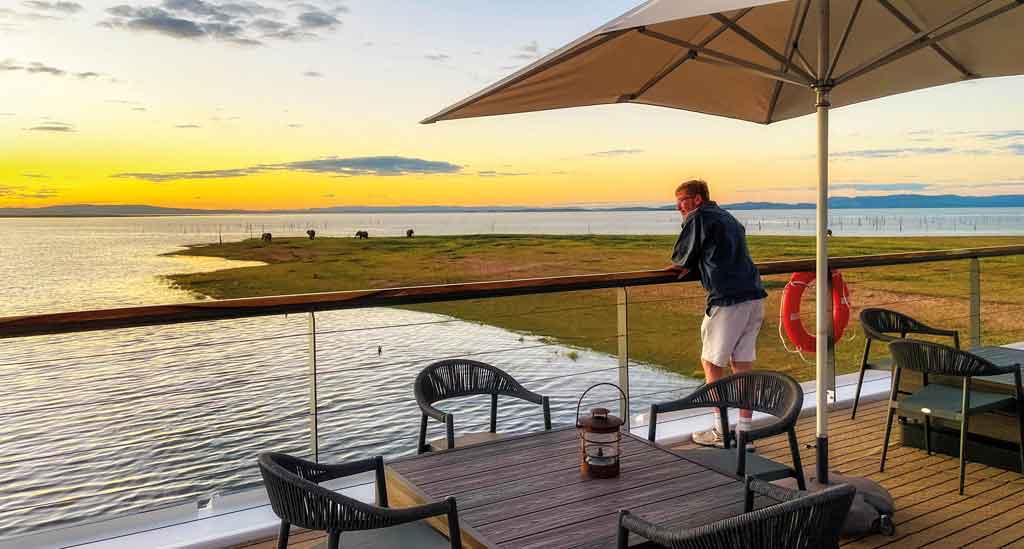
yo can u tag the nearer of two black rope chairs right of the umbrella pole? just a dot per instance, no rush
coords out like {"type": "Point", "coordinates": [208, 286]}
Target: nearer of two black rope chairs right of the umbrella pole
{"type": "Point", "coordinates": [945, 402]}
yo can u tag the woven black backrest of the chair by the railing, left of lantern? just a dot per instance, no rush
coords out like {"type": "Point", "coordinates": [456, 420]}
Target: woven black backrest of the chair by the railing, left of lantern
{"type": "Point", "coordinates": [460, 377]}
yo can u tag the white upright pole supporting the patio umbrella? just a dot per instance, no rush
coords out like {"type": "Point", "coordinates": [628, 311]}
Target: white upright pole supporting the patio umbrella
{"type": "Point", "coordinates": [823, 303]}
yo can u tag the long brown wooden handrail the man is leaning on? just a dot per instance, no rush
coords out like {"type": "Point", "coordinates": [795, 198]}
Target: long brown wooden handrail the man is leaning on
{"type": "Point", "coordinates": [87, 321]}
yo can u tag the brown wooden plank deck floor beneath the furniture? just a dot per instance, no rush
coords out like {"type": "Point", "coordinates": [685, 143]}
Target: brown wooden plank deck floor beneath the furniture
{"type": "Point", "coordinates": [930, 513]}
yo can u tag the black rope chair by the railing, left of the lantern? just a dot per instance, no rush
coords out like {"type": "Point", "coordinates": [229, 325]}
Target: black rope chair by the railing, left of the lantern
{"type": "Point", "coordinates": [460, 377]}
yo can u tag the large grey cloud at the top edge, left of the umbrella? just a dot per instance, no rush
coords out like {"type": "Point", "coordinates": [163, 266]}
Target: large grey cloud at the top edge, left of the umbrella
{"type": "Point", "coordinates": [245, 23]}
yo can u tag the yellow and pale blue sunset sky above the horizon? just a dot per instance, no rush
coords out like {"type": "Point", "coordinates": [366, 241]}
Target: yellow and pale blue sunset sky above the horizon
{"type": "Point", "coordinates": [279, 104]}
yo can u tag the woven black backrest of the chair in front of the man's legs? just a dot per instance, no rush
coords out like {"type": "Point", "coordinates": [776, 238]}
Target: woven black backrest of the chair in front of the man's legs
{"type": "Point", "coordinates": [772, 393]}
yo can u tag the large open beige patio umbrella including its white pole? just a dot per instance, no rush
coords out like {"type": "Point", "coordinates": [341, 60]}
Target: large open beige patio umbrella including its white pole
{"type": "Point", "coordinates": [766, 61]}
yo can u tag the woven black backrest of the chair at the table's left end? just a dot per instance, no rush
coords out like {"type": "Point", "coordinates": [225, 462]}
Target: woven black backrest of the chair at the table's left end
{"type": "Point", "coordinates": [295, 497]}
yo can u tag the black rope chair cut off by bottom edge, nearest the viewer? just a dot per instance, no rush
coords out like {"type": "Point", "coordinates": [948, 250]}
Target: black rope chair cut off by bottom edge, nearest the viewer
{"type": "Point", "coordinates": [801, 522]}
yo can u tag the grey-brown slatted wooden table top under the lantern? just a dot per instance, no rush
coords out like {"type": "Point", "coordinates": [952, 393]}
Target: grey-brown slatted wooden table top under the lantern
{"type": "Point", "coordinates": [527, 491]}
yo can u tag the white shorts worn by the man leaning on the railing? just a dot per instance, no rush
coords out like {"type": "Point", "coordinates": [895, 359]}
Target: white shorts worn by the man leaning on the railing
{"type": "Point", "coordinates": [732, 333]}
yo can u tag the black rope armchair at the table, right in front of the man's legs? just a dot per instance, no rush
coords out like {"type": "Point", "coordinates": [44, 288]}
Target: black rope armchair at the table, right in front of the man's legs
{"type": "Point", "coordinates": [771, 393]}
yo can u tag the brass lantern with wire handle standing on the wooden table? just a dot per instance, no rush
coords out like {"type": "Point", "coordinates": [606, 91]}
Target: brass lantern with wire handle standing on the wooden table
{"type": "Point", "coordinates": [601, 441]}
